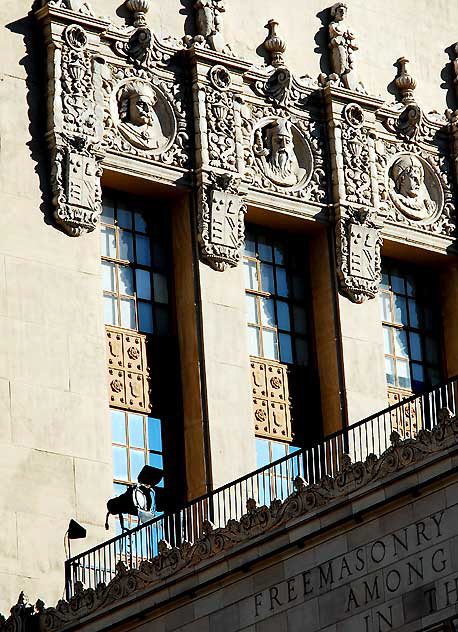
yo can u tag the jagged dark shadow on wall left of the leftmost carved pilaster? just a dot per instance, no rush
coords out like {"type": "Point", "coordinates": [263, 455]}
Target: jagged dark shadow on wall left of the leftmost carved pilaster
{"type": "Point", "coordinates": [34, 64]}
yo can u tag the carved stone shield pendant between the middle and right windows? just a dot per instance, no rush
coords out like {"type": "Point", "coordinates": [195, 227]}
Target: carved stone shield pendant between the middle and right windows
{"type": "Point", "coordinates": [358, 246]}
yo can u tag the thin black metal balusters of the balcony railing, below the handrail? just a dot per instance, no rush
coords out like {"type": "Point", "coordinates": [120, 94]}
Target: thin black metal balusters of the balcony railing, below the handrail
{"type": "Point", "coordinates": [274, 481]}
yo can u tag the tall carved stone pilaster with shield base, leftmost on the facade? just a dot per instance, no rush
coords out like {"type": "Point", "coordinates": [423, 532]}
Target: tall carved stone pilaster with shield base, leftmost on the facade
{"type": "Point", "coordinates": [74, 123]}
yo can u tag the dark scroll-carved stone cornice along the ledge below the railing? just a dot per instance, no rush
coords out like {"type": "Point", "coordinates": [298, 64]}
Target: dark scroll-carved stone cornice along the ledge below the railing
{"type": "Point", "coordinates": [351, 478]}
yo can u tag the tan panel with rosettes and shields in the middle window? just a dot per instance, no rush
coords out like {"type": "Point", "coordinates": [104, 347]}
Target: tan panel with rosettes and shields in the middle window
{"type": "Point", "coordinates": [271, 405]}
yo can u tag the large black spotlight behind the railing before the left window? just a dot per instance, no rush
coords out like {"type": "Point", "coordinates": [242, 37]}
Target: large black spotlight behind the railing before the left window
{"type": "Point", "coordinates": [137, 500]}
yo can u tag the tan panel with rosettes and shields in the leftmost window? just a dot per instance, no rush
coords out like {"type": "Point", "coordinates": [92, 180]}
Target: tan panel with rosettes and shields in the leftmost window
{"type": "Point", "coordinates": [128, 379]}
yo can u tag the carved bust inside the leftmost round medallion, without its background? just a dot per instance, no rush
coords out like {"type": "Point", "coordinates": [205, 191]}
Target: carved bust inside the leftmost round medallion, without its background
{"type": "Point", "coordinates": [139, 122]}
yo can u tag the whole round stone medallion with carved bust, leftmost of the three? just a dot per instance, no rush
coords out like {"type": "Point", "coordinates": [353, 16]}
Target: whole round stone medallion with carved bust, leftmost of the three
{"type": "Point", "coordinates": [142, 116]}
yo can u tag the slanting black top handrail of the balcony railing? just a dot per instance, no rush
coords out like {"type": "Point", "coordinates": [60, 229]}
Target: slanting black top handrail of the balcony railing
{"type": "Point", "coordinates": [196, 501]}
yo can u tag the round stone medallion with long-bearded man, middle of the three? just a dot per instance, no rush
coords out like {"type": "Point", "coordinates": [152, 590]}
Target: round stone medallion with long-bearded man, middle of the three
{"type": "Point", "coordinates": [282, 153]}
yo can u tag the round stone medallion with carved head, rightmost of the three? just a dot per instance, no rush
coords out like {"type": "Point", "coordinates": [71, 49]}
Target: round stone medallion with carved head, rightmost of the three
{"type": "Point", "coordinates": [414, 188]}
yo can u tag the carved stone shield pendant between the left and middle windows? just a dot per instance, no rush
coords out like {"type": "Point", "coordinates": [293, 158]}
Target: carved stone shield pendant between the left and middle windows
{"type": "Point", "coordinates": [221, 228]}
